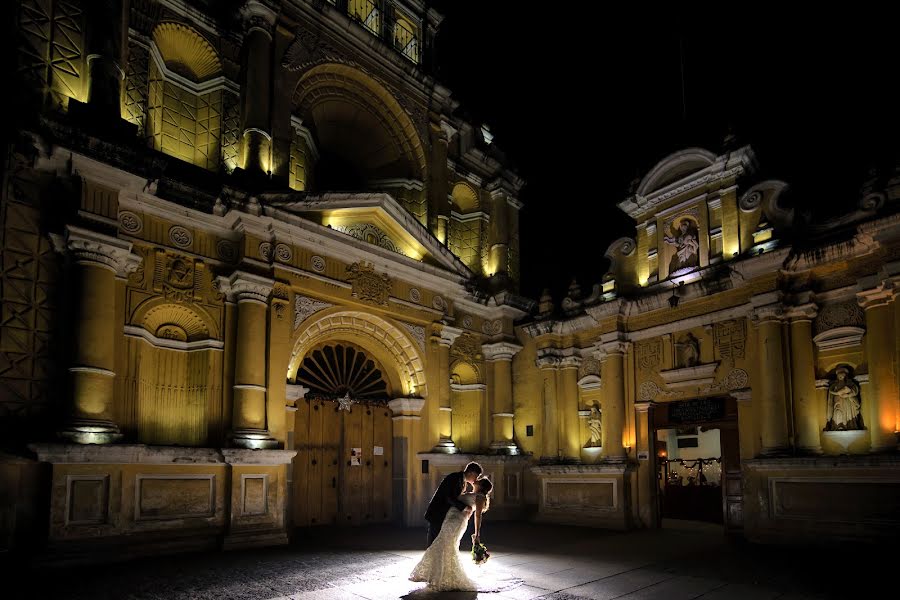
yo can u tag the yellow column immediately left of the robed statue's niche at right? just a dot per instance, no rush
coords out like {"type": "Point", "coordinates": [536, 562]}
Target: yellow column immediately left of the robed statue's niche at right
{"type": "Point", "coordinates": [803, 380]}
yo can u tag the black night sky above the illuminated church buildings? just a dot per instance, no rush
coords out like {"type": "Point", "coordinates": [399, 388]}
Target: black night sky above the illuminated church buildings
{"type": "Point", "coordinates": [583, 98]}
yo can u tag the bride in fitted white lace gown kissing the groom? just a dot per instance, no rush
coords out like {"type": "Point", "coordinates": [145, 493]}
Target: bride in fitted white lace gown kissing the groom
{"type": "Point", "coordinates": [440, 565]}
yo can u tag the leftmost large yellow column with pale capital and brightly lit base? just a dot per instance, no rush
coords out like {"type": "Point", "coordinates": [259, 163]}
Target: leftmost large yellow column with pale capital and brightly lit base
{"type": "Point", "coordinates": [99, 260]}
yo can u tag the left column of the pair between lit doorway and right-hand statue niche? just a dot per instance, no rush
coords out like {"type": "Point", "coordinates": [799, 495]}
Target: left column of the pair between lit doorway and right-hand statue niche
{"type": "Point", "coordinates": [773, 418]}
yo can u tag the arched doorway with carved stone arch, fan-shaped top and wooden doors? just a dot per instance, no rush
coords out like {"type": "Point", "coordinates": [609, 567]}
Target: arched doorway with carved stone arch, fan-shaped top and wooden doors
{"type": "Point", "coordinates": [352, 364]}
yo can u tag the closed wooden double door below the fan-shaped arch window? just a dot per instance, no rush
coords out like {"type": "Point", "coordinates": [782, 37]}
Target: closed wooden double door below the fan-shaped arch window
{"type": "Point", "coordinates": [342, 471]}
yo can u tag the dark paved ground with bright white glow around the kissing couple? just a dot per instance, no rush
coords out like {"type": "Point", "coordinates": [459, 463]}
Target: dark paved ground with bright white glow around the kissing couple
{"type": "Point", "coordinates": [559, 563]}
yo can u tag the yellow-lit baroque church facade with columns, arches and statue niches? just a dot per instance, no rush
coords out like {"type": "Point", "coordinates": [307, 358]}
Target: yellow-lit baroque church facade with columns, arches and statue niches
{"type": "Point", "coordinates": [260, 275]}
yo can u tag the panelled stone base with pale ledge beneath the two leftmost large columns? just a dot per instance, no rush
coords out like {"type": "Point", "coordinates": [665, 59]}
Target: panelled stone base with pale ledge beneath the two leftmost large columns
{"type": "Point", "coordinates": [122, 501]}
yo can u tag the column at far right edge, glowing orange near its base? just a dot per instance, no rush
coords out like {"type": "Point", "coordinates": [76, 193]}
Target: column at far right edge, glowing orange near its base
{"type": "Point", "coordinates": [881, 344]}
